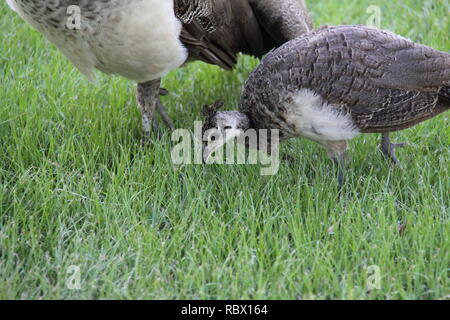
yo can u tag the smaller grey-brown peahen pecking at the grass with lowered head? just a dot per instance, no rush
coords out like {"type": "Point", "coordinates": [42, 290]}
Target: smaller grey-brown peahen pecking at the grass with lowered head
{"type": "Point", "coordinates": [331, 84]}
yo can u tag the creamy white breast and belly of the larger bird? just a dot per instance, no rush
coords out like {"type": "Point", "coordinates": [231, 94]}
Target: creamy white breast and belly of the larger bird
{"type": "Point", "coordinates": [137, 39]}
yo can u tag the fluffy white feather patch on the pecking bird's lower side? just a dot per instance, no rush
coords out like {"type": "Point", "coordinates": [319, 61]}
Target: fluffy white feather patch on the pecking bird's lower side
{"type": "Point", "coordinates": [315, 119]}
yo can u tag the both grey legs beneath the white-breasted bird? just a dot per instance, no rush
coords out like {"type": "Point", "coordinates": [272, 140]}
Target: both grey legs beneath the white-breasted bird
{"type": "Point", "coordinates": [148, 96]}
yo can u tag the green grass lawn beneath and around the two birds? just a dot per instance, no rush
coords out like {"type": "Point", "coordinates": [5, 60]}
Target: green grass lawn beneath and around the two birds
{"type": "Point", "coordinates": [78, 189]}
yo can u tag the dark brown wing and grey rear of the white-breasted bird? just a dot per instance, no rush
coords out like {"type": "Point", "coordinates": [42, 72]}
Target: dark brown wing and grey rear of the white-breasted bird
{"type": "Point", "coordinates": [216, 31]}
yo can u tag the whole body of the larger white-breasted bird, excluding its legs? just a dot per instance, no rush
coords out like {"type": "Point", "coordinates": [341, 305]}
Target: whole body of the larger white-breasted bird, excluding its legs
{"type": "Point", "coordinates": [214, 31]}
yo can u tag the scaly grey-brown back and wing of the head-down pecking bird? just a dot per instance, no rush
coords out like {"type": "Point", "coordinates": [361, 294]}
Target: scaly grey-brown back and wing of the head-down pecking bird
{"type": "Point", "coordinates": [382, 79]}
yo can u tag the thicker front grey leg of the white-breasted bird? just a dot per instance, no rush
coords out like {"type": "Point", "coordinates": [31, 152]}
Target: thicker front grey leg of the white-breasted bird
{"type": "Point", "coordinates": [148, 98]}
